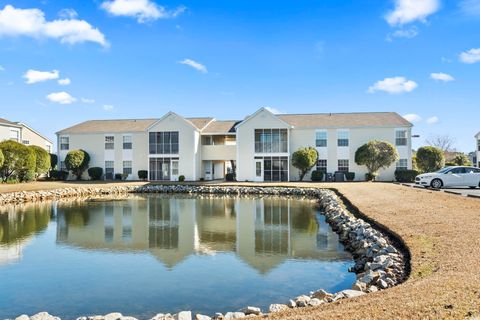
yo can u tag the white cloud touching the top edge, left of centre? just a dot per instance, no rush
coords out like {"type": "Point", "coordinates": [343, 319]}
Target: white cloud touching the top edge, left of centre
{"type": "Point", "coordinates": [142, 10]}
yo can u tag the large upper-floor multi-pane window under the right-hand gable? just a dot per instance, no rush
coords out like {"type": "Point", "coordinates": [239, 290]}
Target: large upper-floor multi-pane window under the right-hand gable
{"type": "Point", "coordinates": [271, 141]}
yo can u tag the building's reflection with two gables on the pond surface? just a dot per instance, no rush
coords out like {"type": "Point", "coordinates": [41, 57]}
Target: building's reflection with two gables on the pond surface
{"type": "Point", "coordinates": [263, 232]}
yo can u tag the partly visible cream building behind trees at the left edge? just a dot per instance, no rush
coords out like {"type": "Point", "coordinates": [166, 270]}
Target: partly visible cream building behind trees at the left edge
{"type": "Point", "coordinates": [24, 134]}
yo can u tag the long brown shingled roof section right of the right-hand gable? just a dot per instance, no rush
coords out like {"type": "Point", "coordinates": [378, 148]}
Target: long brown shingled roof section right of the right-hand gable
{"type": "Point", "coordinates": [345, 120]}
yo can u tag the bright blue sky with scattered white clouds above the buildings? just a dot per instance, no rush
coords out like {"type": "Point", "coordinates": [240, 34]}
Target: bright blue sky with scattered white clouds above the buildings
{"type": "Point", "coordinates": [142, 58]}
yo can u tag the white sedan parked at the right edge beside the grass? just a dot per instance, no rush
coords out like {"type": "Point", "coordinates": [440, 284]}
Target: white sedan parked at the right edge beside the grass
{"type": "Point", "coordinates": [450, 177]}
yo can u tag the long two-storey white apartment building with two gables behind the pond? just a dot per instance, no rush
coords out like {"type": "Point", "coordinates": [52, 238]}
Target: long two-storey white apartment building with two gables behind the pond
{"type": "Point", "coordinates": [257, 148]}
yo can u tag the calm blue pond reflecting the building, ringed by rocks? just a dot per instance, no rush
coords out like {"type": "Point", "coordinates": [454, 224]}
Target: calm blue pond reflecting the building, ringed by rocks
{"type": "Point", "coordinates": [146, 254]}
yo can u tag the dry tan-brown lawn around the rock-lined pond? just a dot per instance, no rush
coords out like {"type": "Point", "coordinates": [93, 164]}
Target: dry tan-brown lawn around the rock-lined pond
{"type": "Point", "coordinates": [442, 233]}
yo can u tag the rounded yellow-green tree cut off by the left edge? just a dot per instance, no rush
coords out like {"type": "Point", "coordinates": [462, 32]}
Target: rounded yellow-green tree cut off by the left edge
{"type": "Point", "coordinates": [18, 159]}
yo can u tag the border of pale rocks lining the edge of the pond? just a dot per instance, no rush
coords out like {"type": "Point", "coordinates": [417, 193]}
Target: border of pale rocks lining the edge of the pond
{"type": "Point", "coordinates": [378, 263]}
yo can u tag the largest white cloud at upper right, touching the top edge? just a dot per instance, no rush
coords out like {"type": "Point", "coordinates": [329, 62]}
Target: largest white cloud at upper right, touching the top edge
{"type": "Point", "coordinates": [407, 11]}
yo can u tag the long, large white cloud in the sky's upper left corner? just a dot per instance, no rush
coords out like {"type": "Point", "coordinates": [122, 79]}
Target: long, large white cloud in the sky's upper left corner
{"type": "Point", "coordinates": [31, 22]}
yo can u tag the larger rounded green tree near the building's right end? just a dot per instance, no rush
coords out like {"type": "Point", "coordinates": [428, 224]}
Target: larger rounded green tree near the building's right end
{"type": "Point", "coordinates": [376, 155]}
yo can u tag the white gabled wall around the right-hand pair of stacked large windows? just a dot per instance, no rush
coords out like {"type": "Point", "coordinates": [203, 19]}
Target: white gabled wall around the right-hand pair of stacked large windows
{"type": "Point", "coordinates": [246, 142]}
